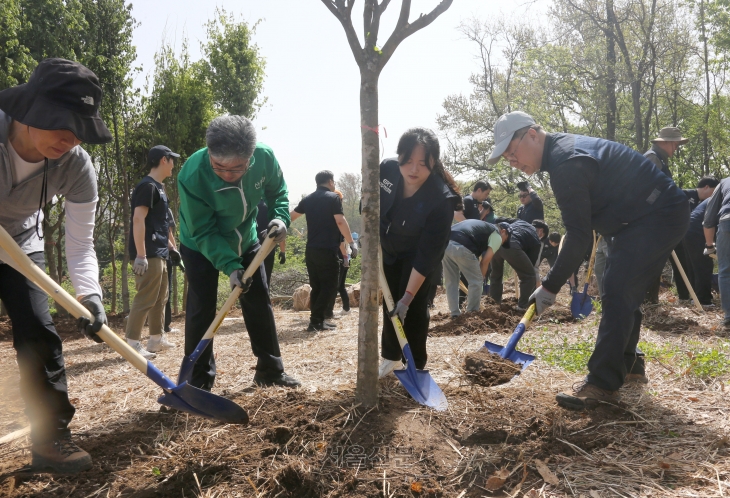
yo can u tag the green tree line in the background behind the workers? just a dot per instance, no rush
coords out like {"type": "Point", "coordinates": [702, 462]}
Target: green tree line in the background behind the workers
{"type": "Point", "coordinates": [617, 69]}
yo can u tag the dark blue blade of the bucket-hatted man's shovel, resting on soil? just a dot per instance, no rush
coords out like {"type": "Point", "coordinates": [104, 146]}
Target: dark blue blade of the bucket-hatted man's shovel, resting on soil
{"type": "Point", "coordinates": [204, 403]}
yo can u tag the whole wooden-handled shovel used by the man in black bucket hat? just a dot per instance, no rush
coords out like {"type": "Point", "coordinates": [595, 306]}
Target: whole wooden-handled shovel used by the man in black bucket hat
{"type": "Point", "coordinates": [183, 397]}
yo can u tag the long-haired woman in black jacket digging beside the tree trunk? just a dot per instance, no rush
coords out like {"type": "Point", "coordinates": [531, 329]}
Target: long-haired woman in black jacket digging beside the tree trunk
{"type": "Point", "coordinates": [417, 202]}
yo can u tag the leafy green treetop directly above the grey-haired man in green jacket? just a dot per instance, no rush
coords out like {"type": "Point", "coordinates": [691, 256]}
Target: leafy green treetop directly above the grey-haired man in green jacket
{"type": "Point", "coordinates": [233, 65]}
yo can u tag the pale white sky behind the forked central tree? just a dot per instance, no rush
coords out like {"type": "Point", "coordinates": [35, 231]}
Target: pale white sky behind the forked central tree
{"type": "Point", "coordinates": [311, 118]}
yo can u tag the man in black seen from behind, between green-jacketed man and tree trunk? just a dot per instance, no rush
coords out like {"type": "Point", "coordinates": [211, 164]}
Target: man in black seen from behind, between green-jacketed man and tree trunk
{"type": "Point", "coordinates": [325, 225]}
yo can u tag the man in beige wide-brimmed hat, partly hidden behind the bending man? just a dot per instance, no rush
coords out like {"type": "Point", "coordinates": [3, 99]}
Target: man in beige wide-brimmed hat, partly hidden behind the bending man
{"type": "Point", "coordinates": [663, 148]}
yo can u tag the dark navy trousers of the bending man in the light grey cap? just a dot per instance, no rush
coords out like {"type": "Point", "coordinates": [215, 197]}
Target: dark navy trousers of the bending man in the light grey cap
{"type": "Point", "coordinates": [636, 257]}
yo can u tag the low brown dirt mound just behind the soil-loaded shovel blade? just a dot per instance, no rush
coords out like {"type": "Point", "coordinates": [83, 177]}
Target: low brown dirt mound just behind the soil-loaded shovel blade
{"type": "Point", "coordinates": [493, 316]}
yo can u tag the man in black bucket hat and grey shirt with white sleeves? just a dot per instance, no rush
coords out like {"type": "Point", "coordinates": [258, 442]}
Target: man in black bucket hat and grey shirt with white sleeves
{"type": "Point", "coordinates": [42, 124]}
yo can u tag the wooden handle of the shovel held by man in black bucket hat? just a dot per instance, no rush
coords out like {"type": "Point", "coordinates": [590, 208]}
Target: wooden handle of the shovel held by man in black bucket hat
{"type": "Point", "coordinates": [33, 273]}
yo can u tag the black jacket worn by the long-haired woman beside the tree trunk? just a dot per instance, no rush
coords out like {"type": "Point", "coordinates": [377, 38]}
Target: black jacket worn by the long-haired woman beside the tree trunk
{"type": "Point", "coordinates": [416, 229]}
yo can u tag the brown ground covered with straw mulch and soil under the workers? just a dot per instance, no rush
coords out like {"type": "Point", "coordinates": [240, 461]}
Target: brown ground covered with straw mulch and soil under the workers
{"type": "Point", "coordinates": [670, 438]}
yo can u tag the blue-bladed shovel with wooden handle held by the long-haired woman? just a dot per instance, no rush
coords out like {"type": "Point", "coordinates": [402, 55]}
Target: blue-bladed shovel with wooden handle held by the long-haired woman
{"type": "Point", "coordinates": [419, 383]}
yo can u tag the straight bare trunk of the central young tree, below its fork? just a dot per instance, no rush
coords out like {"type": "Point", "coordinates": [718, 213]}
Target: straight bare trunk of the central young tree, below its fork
{"type": "Point", "coordinates": [367, 372]}
